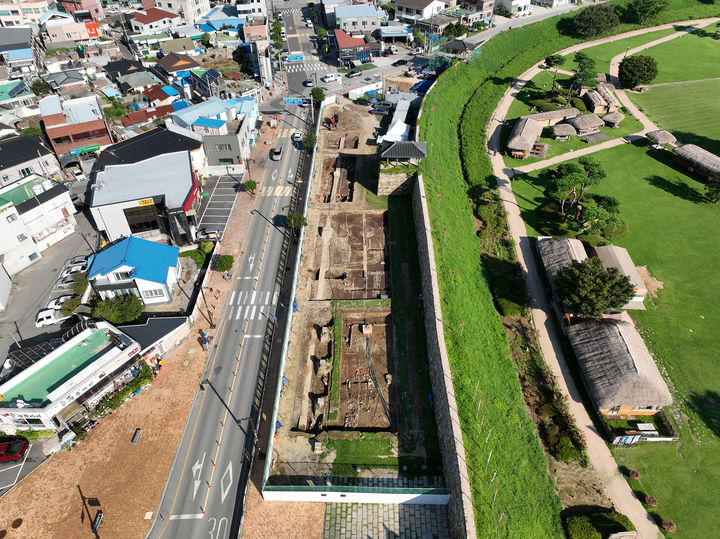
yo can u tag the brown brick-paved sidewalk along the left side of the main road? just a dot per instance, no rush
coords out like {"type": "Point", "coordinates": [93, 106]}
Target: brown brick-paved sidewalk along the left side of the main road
{"type": "Point", "coordinates": [105, 471]}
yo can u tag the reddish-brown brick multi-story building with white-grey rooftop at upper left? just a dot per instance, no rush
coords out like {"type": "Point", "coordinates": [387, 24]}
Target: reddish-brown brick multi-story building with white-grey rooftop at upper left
{"type": "Point", "coordinates": [76, 127]}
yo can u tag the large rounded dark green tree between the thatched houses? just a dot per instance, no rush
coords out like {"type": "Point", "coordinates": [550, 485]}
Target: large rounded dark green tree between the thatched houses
{"type": "Point", "coordinates": [589, 290]}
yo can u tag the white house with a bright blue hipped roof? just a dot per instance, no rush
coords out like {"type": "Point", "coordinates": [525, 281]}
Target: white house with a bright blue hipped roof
{"type": "Point", "coordinates": [146, 269]}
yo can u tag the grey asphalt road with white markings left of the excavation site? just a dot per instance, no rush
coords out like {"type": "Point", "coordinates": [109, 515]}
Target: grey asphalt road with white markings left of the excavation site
{"type": "Point", "coordinates": [205, 487]}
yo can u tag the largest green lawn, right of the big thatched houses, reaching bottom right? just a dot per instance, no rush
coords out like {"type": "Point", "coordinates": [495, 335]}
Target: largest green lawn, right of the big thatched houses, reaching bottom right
{"type": "Point", "coordinates": [668, 231]}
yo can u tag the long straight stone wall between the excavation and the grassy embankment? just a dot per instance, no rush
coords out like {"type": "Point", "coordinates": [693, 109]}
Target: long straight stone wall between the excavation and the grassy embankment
{"type": "Point", "coordinates": [460, 512]}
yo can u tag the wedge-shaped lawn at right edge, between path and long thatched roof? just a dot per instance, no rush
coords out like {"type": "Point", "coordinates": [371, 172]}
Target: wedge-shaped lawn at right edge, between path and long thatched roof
{"type": "Point", "coordinates": [693, 116]}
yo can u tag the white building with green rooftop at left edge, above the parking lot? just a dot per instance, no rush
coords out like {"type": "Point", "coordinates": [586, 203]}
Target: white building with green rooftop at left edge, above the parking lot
{"type": "Point", "coordinates": [35, 213]}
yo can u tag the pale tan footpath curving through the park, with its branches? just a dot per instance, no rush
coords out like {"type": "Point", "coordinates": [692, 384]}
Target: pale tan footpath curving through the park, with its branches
{"type": "Point", "coordinates": [616, 487]}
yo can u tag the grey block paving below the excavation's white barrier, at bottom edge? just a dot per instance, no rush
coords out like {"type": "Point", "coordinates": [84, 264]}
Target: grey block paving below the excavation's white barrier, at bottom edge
{"type": "Point", "coordinates": [383, 521]}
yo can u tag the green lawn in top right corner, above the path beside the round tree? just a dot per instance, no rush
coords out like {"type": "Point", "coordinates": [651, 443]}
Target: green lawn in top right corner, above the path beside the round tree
{"type": "Point", "coordinates": [691, 57]}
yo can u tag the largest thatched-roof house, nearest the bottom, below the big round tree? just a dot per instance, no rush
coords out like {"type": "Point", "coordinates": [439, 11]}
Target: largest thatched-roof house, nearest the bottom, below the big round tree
{"type": "Point", "coordinates": [618, 370]}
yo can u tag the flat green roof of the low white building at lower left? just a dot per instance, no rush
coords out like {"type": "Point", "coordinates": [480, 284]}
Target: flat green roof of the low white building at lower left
{"type": "Point", "coordinates": [38, 385]}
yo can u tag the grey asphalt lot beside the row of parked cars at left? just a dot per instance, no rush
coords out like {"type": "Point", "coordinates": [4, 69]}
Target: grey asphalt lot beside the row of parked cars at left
{"type": "Point", "coordinates": [35, 286]}
